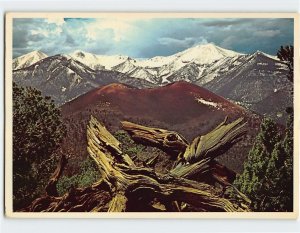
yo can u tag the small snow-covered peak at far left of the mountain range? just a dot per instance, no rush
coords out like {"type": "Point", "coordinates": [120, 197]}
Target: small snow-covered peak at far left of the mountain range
{"type": "Point", "coordinates": [28, 59]}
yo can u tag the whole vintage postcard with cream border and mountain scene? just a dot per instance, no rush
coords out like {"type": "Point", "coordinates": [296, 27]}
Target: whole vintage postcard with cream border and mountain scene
{"type": "Point", "coordinates": [151, 115]}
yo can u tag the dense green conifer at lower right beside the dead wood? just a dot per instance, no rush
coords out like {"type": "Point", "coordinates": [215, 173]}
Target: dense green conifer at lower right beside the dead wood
{"type": "Point", "coordinates": [267, 178]}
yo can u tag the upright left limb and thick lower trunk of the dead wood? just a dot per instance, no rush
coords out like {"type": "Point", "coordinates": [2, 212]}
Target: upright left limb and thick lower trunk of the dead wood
{"type": "Point", "coordinates": [132, 183]}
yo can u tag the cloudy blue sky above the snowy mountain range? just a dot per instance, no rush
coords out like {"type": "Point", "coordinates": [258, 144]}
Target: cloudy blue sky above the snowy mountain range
{"type": "Point", "coordinates": [146, 38]}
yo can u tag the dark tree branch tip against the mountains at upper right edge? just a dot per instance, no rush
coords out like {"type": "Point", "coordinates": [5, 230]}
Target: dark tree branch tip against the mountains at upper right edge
{"type": "Point", "coordinates": [286, 54]}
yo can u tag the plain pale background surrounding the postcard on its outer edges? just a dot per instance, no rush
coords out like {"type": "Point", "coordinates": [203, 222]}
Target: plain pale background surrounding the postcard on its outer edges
{"type": "Point", "coordinates": [153, 225]}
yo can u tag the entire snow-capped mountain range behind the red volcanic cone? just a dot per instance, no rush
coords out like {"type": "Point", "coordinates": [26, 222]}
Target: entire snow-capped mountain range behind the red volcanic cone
{"type": "Point", "coordinates": [247, 79]}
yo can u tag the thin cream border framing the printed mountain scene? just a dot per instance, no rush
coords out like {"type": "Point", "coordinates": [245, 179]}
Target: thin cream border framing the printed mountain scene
{"type": "Point", "coordinates": [8, 111]}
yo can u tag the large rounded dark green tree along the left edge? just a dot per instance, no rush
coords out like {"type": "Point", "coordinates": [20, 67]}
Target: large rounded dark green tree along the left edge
{"type": "Point", "coordinates": [37, 132]}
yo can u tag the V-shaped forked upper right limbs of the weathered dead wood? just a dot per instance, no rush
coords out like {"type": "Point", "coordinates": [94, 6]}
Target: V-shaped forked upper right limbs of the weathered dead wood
{"type": "Point", "coordinates": [196, 158]}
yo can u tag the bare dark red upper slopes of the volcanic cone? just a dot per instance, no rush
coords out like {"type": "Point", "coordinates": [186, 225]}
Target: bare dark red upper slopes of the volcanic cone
{"type": "Point", "coordinates": [174, 103]}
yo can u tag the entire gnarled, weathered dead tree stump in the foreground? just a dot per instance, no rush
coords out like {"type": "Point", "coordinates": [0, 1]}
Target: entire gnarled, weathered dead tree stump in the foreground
{"type": "Point", "coordinates": [126, 187]}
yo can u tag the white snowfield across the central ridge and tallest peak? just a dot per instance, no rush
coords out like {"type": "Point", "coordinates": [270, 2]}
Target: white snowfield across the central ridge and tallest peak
{"type": "Point", "coordinates": [157, 69]}
